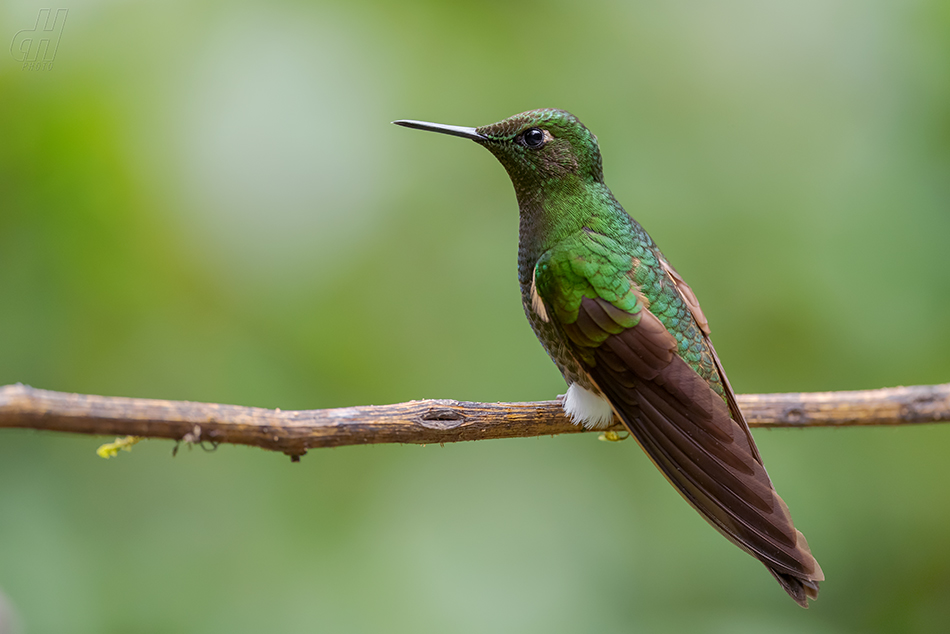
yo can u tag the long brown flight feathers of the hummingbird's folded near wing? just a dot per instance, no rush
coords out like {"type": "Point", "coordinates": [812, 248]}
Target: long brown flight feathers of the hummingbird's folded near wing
{"type": "Point", "coordinates": [688, 432]}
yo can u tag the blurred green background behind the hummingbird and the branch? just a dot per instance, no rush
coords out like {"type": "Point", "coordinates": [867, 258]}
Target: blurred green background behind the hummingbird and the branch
{"type": "Point", "coordinates": [206, 201]}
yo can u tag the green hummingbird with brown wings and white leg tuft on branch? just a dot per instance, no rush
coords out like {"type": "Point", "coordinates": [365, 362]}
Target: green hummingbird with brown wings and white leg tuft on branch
{"type": "Point", "coordinates": [630, 339]}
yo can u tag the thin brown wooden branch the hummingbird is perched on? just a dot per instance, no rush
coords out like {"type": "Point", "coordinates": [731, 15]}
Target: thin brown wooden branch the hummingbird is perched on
{"type": "Point", "coordinates": [420, 422]}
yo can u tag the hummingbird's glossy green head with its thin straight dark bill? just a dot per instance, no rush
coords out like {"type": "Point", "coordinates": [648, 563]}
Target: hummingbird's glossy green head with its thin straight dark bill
{"type": "Point", "coordinates": [538, 147]}
